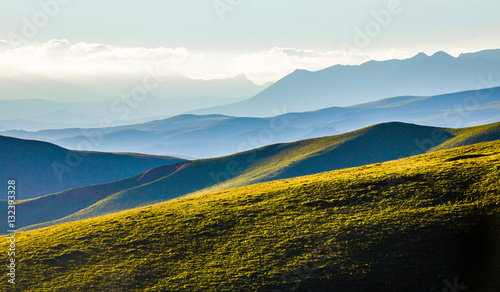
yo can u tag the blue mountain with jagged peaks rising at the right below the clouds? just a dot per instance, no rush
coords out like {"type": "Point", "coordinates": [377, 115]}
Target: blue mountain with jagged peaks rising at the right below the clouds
{"type": "Point", "coordinates": [342, 85]}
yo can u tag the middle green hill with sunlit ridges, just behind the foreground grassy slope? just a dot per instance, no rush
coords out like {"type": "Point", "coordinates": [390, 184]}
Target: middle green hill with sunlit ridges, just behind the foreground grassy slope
{"type": "Point", "coordinates": [374, 144]}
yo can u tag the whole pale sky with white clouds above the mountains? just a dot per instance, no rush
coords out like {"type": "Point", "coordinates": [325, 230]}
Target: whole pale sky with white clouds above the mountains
{"type": "Point", "coordinates": [217, 39]}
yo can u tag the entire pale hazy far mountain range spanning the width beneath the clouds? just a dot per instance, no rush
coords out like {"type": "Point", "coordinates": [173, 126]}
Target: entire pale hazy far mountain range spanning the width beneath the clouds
{"type": "Point", "coordinates": [300, 91]}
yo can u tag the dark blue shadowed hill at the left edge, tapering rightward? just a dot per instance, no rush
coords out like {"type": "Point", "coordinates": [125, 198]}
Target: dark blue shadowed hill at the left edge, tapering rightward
{"type": "Point", "coordinates": [42, 168]}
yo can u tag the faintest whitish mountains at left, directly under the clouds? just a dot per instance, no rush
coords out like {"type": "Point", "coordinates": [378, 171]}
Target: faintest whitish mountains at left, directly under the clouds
{"type": "Point", "coordinates": [85, 88]}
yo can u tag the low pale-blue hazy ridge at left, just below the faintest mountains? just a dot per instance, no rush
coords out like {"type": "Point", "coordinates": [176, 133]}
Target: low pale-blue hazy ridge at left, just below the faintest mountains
{"type": "Point", "coordinates": [39, 114]}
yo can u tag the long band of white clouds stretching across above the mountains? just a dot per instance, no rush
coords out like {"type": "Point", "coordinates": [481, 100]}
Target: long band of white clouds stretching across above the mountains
{"type": "Point", "coordinates": [58, 57]}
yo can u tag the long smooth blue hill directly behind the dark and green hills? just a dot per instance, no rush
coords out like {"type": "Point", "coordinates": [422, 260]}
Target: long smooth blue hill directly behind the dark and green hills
{"type": "Point", "coordinates": [218, 135]}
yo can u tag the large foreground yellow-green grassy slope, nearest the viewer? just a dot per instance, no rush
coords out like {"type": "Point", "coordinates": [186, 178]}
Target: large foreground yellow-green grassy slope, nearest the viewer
{"type": "Point", "coordinates": [416, 224]}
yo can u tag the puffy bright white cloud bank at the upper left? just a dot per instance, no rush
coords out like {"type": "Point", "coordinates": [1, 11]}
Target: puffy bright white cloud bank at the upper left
{"type": "Point", "coordinates": [62, 57]}
